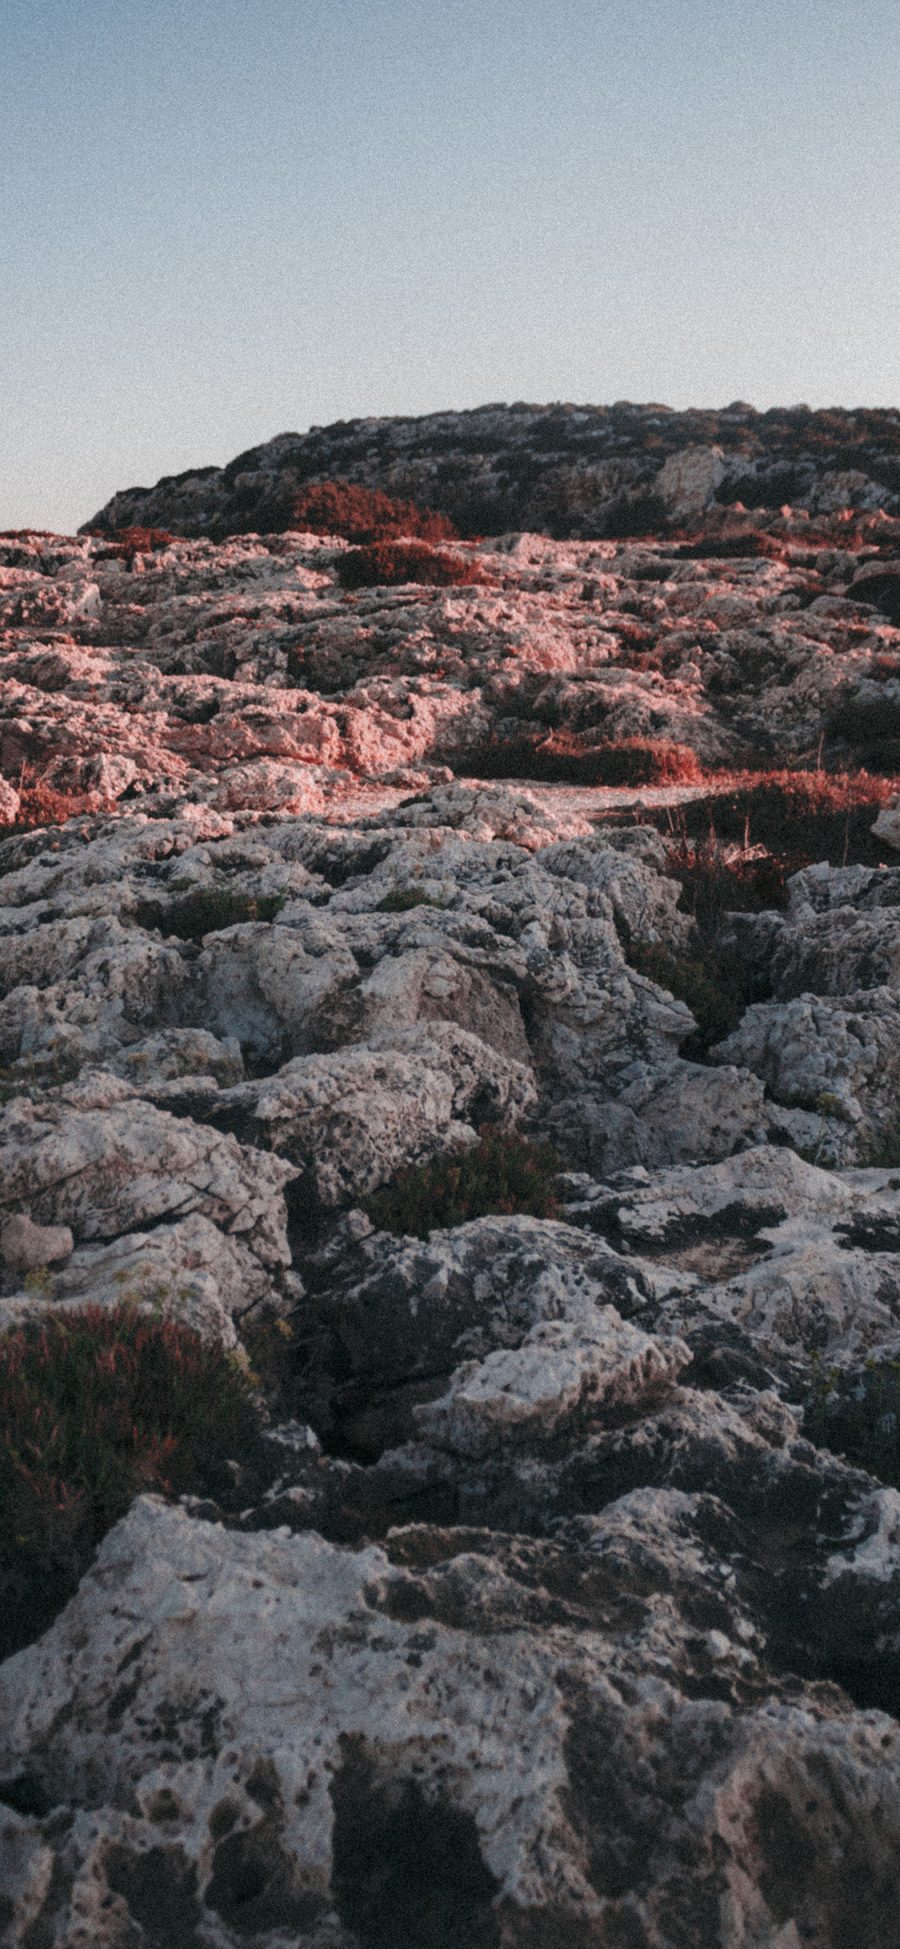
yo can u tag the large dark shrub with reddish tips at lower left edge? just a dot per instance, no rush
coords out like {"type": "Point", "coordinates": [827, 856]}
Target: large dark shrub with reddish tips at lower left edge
{"type": "Point", "coordinates": [98, 1406]}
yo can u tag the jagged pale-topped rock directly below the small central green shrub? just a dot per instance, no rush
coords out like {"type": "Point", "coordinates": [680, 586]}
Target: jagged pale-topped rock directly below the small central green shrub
{"type": "Point", "coordinates": [408, 1318]}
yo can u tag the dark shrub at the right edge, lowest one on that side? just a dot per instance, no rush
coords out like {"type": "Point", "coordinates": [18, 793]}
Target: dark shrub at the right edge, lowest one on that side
{"type": "Point", "coordinates": [858, 1416]}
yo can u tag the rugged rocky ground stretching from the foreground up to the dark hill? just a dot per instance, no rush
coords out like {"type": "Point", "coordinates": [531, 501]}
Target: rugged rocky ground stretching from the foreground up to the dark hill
{"type": "Point", "coordinates": [556, 1605]}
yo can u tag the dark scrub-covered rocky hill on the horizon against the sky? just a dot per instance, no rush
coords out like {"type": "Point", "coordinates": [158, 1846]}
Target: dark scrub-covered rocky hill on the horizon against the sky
{"type": "Point", "coordinates": [566, 471]}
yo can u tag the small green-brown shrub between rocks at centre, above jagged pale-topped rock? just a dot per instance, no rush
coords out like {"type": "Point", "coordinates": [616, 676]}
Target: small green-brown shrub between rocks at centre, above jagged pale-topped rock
{"type": "Point", "coordinates": [502, 1174]}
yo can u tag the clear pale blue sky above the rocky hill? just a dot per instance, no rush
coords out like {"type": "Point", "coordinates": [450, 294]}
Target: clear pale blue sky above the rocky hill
{"type": "Point", "coordinates": [227, 219]}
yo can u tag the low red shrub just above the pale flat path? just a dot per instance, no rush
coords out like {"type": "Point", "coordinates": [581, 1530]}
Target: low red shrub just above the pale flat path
{"type": "Point", "coordinates": [568, 759]}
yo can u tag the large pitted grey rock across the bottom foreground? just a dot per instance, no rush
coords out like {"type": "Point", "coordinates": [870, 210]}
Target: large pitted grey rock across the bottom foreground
{"type": "Point", "coordinates": [254, 1798]}
